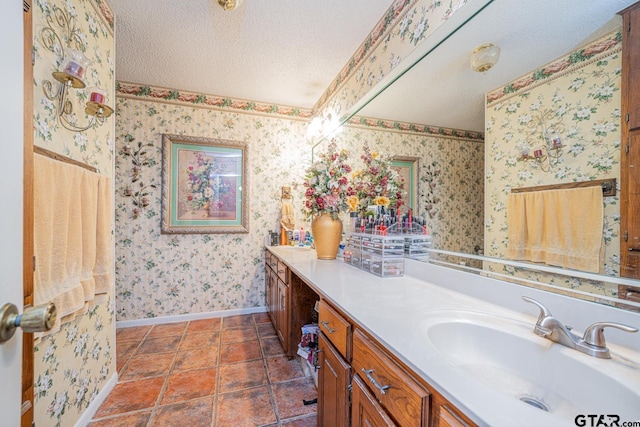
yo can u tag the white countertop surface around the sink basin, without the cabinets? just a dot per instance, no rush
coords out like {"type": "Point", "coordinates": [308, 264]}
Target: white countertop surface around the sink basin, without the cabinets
{"type": "Point", "coordinates": [394, 310]}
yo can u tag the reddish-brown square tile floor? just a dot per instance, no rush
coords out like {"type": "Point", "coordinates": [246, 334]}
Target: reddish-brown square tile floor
{"type": "Point", "coordinates": [211, 373]}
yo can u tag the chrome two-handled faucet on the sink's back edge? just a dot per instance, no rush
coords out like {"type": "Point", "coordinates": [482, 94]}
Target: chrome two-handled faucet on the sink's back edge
{"type": "Point", "coordinates": [592, 343]}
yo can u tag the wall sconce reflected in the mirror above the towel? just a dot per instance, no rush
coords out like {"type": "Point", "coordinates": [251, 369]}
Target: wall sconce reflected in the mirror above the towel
{"type": "Point", "coordinates": [549, 152]}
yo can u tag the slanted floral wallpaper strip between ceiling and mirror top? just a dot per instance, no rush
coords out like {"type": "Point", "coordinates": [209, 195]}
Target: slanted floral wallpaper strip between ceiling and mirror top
{"type": "Point", "coordinates": [406, 24]}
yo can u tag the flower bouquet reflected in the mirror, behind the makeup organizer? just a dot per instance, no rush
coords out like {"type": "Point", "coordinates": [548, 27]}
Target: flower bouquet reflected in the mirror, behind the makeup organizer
{"type": "Point", "coordinates": [377, 184]}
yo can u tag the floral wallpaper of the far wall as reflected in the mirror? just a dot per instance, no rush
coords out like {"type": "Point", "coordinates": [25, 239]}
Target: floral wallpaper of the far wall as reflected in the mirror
{"type": "Point", "coordinates": [450, 181]}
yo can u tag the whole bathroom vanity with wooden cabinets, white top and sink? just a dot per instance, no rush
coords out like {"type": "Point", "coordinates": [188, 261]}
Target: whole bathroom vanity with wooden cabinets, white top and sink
{"type": "Point", "coordinates": [440, 347]}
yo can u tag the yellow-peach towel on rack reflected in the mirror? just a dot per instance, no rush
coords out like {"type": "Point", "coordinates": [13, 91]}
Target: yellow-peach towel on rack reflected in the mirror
{"type": "Point", "coordinates": [557, 227]}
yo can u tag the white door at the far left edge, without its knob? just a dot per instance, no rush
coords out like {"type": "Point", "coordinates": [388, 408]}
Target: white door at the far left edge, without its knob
{"type": "Point", "coordinates": [11, 146]}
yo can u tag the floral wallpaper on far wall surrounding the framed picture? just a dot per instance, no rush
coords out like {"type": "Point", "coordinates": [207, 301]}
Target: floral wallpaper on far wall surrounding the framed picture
{"type": "Point", "coordinates": [163, 275]}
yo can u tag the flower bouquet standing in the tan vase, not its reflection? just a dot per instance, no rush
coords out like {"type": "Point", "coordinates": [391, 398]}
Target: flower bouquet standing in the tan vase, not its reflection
{"type": "Point", "coordinates": [326, 183]}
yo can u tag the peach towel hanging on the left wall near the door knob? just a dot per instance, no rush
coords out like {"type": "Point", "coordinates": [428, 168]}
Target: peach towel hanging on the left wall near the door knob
{"type": "Point", "coordinates": [72, 237]}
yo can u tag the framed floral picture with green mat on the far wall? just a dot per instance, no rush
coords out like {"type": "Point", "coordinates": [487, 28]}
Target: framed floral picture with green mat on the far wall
{"type": "Point", "coordinates": [204, 185]}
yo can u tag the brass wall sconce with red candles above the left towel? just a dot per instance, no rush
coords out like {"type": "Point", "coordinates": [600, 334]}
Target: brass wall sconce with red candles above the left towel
{"type": "Point", "coordinates": [71, 74]}
